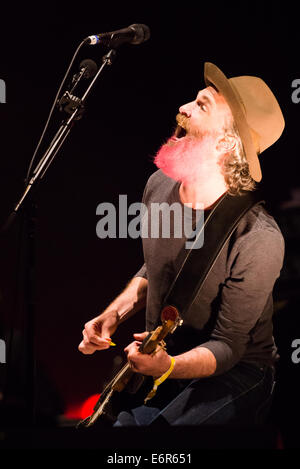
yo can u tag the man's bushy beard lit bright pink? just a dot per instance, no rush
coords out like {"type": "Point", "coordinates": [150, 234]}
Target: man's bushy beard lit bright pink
{"type": "Point", "coordinates": [183, 159]}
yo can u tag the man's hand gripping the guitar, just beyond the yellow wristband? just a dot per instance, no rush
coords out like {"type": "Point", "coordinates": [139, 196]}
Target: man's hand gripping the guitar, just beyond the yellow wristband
{"type": "Point", "coordinates": [152, 365]}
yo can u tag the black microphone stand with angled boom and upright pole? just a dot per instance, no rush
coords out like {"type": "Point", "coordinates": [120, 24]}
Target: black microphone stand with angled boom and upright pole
{"type": "Point", "coordinates": [75, 107]}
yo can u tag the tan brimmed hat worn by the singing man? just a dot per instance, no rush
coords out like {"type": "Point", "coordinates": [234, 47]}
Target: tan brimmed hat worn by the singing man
{"type": "Point", "coordinates": [255, 111]}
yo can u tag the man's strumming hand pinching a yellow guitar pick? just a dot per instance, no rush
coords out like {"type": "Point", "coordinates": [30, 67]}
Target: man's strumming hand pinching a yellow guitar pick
{"type": "Point", "coordinates": [97, 332]}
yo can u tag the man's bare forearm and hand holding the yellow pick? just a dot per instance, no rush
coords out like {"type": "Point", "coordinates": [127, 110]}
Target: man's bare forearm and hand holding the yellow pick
{"type": "Point", "coordinates": [97, 332]}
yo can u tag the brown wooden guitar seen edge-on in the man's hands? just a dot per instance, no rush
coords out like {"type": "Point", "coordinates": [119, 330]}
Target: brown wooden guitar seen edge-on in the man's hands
{"type": "Point", "coordinates": [110, 402]}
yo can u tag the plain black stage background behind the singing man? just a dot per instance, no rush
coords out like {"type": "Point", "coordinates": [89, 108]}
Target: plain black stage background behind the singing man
{"type": "Point", "coordinates": [129, 115]}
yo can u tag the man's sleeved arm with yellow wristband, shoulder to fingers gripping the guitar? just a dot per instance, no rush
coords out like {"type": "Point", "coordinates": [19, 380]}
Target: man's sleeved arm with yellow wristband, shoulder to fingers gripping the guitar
{"type": "Point", "coordinates": [244, 295]}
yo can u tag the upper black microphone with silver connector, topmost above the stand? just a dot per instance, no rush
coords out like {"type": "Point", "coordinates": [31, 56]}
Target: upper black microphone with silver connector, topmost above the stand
{"type": "Point", "coordinates": [134, 34]}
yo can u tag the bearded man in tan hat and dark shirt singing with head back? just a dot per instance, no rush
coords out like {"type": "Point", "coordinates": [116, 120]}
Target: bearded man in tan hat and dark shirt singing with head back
{"type": "Point", "coordinates": [220, 362]}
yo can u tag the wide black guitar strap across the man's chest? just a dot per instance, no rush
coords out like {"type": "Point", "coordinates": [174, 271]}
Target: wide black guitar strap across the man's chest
{"type": "Point", "coordinates": [218, 227]}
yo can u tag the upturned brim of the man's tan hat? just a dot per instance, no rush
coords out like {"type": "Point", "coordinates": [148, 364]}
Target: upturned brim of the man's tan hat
{"type": "Point", "coordinates": [214, 76]}
